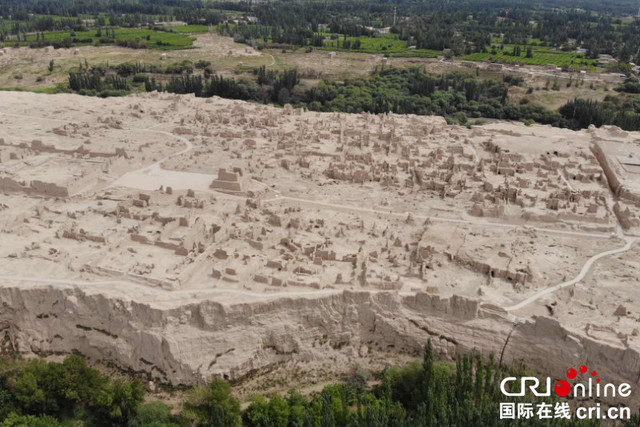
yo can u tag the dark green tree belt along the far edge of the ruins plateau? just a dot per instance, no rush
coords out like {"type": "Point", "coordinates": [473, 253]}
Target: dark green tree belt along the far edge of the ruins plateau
{"type": "Point", "coordinates": [456, 96]}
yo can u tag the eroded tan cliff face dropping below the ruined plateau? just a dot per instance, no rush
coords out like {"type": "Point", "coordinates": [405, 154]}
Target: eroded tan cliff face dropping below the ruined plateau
{"type": "Point", "coordinates": [198, 341]}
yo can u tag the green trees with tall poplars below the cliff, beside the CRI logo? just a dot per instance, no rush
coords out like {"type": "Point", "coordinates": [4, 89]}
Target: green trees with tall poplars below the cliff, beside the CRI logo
{"type": "Point", "coordinates": [423, 393]}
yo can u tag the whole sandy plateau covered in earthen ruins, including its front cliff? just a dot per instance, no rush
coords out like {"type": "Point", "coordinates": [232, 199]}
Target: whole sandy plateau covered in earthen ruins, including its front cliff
{"type": "Point", "coordinates": [189, 239]}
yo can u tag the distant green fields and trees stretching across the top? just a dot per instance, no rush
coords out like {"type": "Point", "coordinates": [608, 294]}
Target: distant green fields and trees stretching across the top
{"type": "Point", "coordinates": [481, 30]}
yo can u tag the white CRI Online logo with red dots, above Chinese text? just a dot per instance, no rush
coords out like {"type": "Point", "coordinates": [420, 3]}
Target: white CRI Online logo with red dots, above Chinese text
{"type": "Point", "coordinates": [562, 388]}
